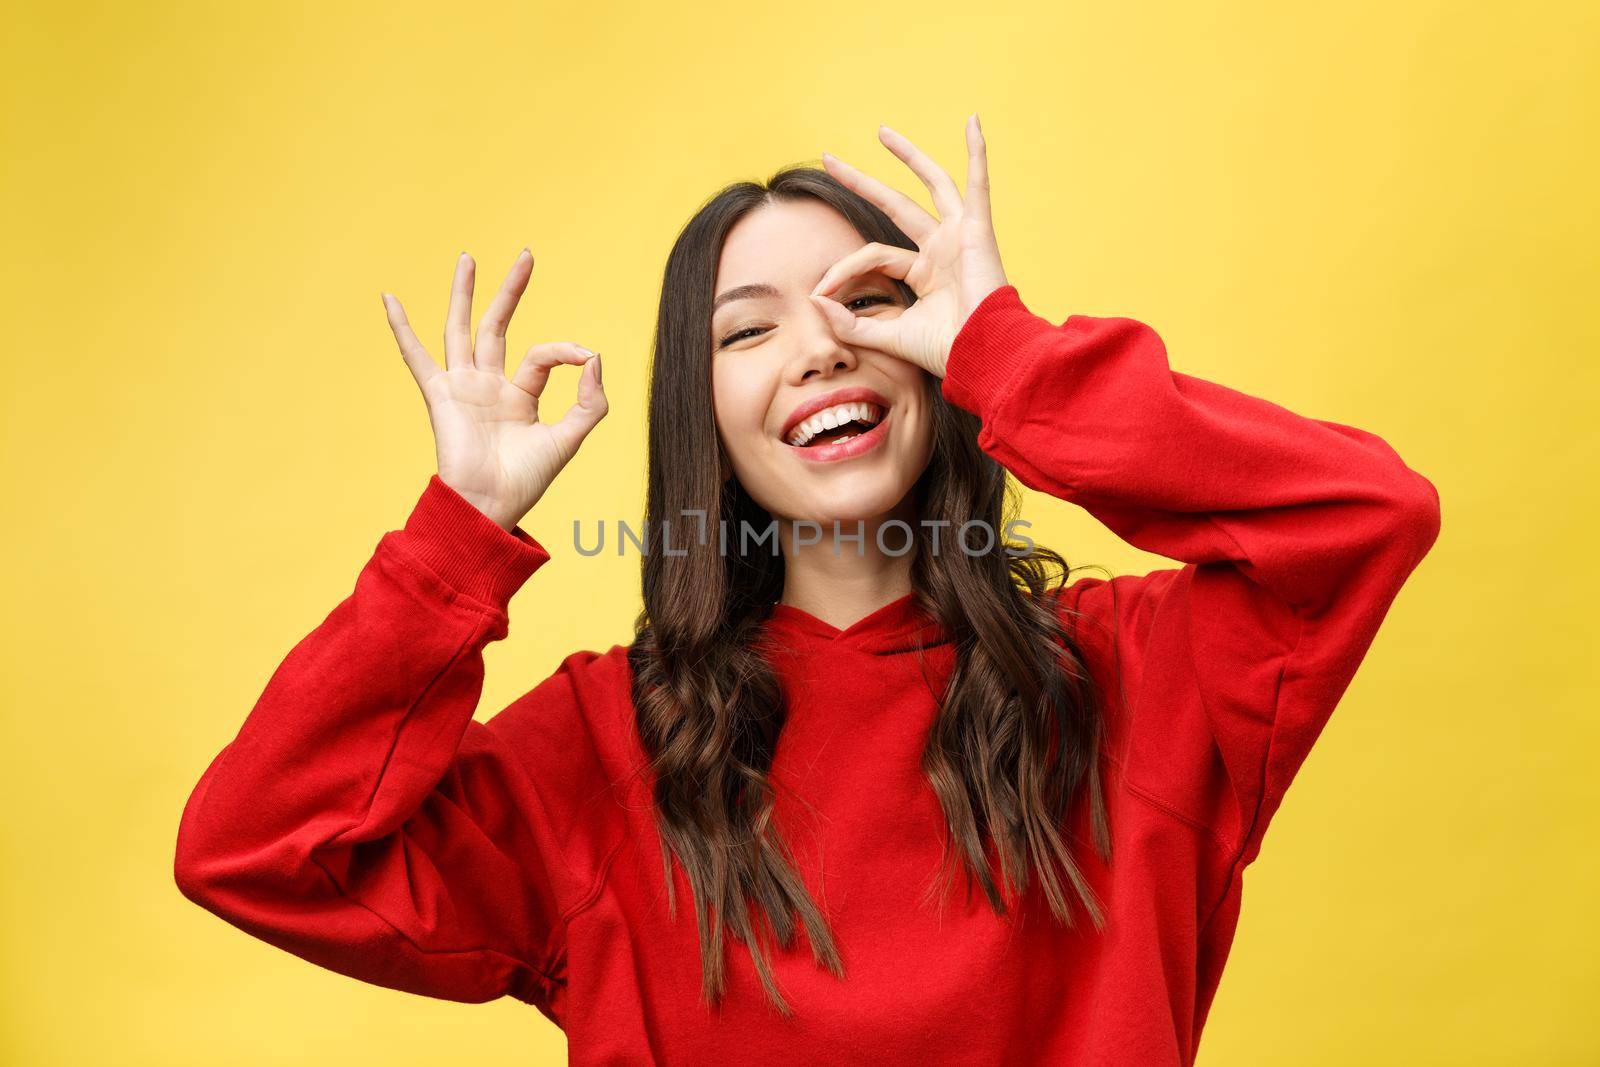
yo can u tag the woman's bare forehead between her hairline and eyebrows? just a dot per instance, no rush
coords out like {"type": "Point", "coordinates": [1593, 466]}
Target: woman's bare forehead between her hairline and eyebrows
{"type": "Point", "coordinates": [785, 244]}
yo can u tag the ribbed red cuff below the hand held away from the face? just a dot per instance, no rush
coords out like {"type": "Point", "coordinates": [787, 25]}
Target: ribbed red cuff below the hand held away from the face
{"type": "Point", "coordinates": [468, 549]}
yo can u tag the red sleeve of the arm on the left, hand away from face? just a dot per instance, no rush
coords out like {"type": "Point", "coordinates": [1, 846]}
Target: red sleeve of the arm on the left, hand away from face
{"type": "Point", "coordinates": [362, 820]}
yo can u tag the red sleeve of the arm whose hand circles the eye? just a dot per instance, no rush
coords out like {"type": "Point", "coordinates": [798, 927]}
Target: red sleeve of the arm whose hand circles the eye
{"type": "Point", "coordinates": [1295, 537]}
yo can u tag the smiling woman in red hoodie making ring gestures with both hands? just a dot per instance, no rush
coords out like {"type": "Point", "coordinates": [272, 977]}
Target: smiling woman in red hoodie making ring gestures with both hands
{"type": "Point", "coordinates": [814, 730]}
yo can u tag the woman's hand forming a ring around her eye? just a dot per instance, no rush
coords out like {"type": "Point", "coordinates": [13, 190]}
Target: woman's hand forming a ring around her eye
{"type": "Point", "coordinates": [956, 265]}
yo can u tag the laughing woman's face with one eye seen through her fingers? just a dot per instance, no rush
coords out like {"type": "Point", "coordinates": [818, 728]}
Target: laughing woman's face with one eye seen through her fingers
{"type": "Point", "coordinates": [814, 428]}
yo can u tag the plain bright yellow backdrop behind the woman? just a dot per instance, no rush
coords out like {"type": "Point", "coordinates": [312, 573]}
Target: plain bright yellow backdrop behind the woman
{"type": "Point", "coordinates": [1370, 214]}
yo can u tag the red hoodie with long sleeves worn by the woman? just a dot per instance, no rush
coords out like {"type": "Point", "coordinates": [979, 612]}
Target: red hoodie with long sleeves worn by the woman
{"type": "Point", "coordinates": [362, 818]}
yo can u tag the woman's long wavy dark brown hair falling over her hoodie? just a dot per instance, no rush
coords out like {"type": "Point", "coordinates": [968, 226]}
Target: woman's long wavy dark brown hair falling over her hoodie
{"type": "Point", "coordinates": [1017, 743]}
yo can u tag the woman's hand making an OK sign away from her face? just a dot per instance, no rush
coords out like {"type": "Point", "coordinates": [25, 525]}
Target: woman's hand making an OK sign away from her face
{"type": "Point", "coordinates": [487, 434]}
